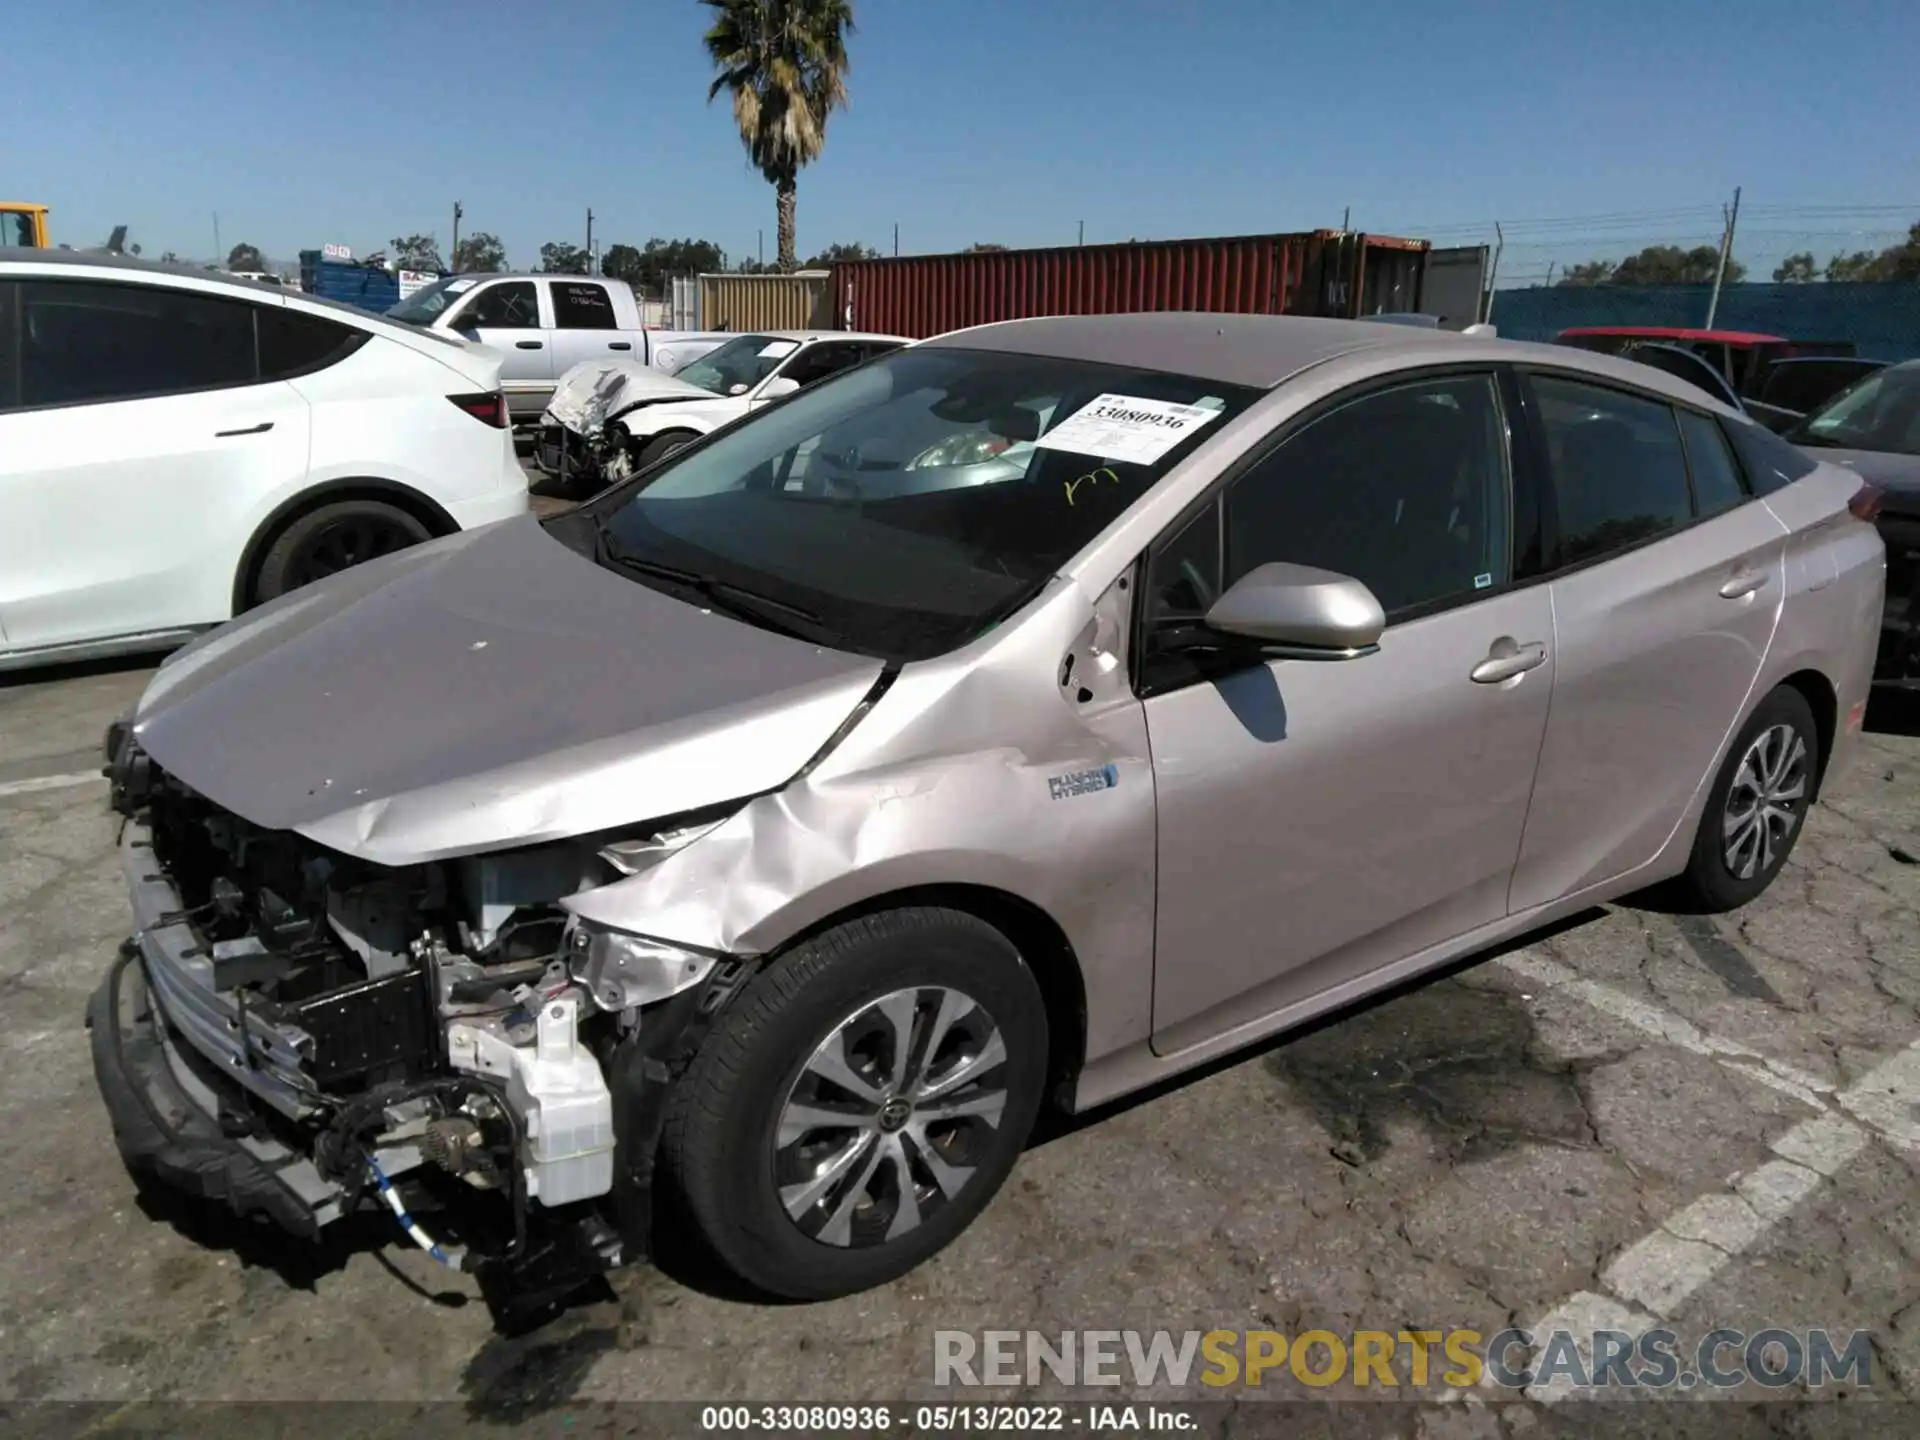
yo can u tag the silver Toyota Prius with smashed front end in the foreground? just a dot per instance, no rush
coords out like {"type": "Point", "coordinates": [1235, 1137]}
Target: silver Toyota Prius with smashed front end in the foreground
{"type": "Point", "coordinates": [1009, 723]}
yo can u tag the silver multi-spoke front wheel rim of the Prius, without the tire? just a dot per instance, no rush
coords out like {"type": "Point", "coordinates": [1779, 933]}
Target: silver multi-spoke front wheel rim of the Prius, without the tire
{"type": "Point", "coordinates": [890, 1116]}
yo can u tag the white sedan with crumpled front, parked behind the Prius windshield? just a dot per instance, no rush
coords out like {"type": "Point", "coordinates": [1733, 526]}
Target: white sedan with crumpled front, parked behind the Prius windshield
{"type": "Point", "coordinates": [613, 418]}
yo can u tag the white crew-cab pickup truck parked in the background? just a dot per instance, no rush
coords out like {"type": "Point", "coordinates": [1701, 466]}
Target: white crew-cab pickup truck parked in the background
{"type": "Point", "coordinates": [548, 324]}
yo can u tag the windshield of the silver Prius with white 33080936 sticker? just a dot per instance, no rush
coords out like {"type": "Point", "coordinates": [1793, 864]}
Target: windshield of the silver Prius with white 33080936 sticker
{"type": "Point", "coordinates": [909, 506]}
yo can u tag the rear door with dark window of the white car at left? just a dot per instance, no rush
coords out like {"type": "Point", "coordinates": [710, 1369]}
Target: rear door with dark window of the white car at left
{"type": "Point", "coordinates": [139, 433]}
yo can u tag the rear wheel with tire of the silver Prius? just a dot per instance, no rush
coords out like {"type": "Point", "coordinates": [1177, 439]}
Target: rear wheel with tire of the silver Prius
{"type": "Point", "coordinates": [1756, 807]}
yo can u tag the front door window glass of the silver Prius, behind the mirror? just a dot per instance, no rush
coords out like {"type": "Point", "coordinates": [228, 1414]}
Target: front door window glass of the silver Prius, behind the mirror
{"type": "Point", "coordinates": [1404, 491]}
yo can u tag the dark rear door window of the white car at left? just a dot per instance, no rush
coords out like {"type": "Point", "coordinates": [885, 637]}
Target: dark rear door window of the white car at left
{"type": "Point", "coordinates": [87, 341]}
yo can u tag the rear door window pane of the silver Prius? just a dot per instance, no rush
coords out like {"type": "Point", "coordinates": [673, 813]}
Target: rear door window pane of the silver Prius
{"type": "Point", "coordinates": [1620, 473]}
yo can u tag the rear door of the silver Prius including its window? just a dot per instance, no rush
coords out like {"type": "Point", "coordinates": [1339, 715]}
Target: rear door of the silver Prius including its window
{"type": "Point", "coordinates": [1668, 588]}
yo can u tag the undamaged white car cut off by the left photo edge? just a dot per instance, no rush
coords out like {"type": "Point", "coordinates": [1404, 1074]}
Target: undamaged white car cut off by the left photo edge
{"type": "Point", "coordinates": [180, 446]}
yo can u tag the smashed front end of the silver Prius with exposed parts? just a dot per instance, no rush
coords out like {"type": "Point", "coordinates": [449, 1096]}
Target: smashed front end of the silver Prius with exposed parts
{"type": "Point", "coordinates": [300, 1034]}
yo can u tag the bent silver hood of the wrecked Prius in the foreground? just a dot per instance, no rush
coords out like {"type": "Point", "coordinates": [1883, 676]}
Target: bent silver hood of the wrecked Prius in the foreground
{"type": "Point", "coordinates": [492, 688]}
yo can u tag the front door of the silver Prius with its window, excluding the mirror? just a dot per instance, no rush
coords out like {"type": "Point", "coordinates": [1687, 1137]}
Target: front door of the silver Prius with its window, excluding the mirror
{"type": "Point", "coordinates": [1322, 819]}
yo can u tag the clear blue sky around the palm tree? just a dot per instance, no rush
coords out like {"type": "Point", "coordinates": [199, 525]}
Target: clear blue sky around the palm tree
{"type": "Point", "coordinates": [976, 120]}
